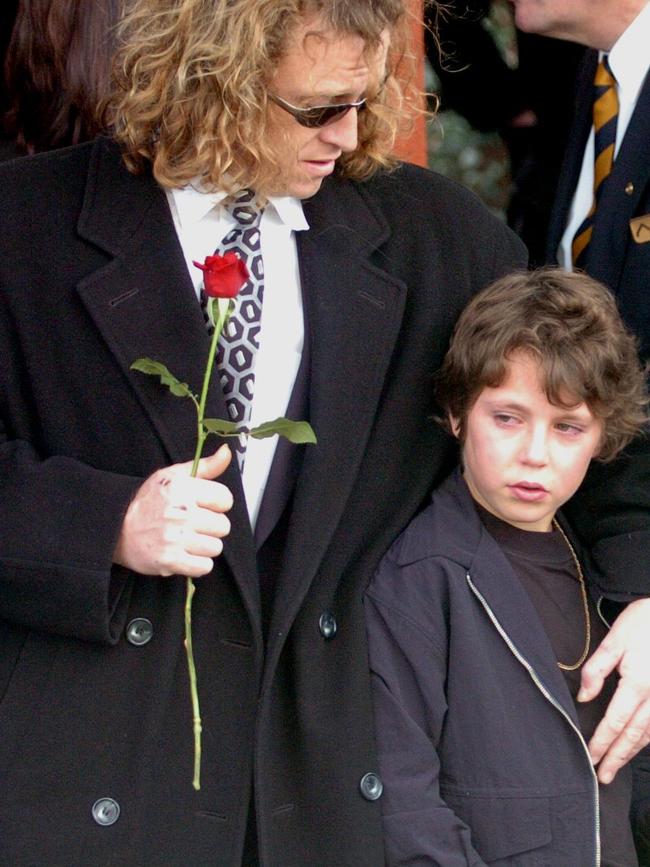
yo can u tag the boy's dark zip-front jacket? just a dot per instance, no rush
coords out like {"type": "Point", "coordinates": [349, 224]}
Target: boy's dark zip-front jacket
{"type": "Point", "coordinates": [475, 723]}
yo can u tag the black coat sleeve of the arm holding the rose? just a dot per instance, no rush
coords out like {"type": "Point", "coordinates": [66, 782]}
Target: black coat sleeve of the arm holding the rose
{"type": "Point", "coordinates": [60, 521]}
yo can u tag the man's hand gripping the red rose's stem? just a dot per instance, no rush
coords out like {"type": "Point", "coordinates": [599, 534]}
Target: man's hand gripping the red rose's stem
{"type": "Point", "coordinates": [175, 524]}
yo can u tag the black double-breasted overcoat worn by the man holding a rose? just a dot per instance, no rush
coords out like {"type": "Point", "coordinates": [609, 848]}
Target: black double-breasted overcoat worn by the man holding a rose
{"type": "Point", "coordinates": [91, 277]}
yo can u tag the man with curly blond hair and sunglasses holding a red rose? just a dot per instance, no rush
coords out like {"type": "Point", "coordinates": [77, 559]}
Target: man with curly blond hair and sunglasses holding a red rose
{"type": "Point", "coordinates": [367, 265]}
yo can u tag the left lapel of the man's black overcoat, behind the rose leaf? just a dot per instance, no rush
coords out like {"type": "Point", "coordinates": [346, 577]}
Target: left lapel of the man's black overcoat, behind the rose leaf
{"type": "Point", "coordinates": [144, 305]}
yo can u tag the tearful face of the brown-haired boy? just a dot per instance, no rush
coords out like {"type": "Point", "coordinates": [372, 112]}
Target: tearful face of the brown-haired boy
{"type": "Point", "coordinates": [523, 457]}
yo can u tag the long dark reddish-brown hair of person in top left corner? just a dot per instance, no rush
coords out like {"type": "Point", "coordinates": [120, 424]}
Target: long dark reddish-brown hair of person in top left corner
{"type": "Point", "coordinates": [56, 73]}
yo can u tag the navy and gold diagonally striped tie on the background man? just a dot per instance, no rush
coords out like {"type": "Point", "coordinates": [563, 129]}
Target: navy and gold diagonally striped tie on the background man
{"type": "Point", "coordinates": [605, 116]}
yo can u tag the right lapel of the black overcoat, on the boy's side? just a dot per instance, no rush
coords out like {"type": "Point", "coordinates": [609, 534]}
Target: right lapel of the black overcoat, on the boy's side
{"type": "Point", "coordinates": [354, 310]}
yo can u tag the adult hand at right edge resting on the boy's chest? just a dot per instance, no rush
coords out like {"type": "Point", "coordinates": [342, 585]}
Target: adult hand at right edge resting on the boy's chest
{"type": "Point", "coordinates": [625, 728]}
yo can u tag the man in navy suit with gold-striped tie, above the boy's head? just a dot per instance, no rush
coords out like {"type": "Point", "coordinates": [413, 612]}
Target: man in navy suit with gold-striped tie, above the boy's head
{"type": "Point", "coordinates": [619, 251]}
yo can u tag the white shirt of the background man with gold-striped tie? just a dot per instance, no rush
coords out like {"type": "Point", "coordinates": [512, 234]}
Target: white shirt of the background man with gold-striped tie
{"type": "Point", "coordinates": [629, 60]}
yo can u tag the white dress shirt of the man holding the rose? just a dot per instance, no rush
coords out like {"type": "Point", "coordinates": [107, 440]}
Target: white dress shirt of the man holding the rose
{"type": "Point", "coordinates": [201, 223]}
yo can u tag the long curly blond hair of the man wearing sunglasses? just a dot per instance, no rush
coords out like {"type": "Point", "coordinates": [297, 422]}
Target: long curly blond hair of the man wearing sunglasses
{"type": "Point", "coordinates": [190, 81]}
